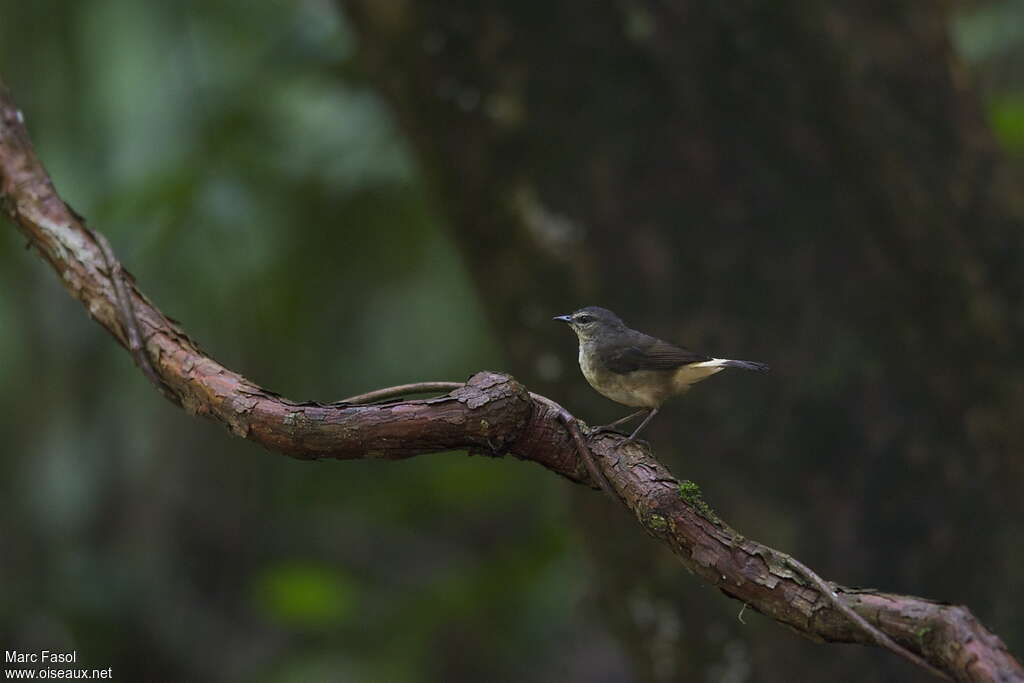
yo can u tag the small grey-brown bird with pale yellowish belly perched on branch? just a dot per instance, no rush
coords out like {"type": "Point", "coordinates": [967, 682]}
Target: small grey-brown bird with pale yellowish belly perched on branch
{"type": "Point", "coordinates": [637, 370]}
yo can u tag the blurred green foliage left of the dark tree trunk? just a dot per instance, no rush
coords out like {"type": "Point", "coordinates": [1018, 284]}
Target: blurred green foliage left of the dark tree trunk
{"type": "Point", "coordinates": [262, 196]}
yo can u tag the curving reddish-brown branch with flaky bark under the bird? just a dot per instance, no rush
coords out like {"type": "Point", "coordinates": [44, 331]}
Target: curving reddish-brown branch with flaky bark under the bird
{"type": "Point", "coordinates": [490, 414]}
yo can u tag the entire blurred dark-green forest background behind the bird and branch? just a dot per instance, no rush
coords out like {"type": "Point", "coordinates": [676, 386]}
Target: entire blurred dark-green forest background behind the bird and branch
{"type": "Point", "coordinates": [338, 197]}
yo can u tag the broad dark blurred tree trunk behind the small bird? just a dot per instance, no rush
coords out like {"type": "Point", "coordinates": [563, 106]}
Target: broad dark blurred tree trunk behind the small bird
{"type": "Point", "coordinates": [807, 185]}
